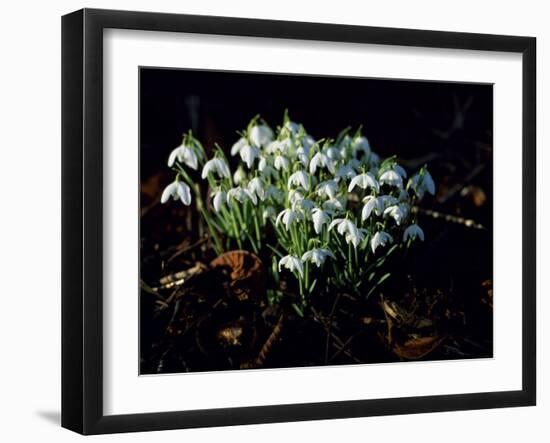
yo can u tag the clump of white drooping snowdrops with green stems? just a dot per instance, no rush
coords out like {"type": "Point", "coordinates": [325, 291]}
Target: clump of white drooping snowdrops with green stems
{"type": "Point", "coordinates": [336, 210]}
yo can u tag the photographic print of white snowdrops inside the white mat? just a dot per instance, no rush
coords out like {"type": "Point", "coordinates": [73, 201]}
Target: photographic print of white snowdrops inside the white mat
{"type": "Point", "coordinates": [294, 220]}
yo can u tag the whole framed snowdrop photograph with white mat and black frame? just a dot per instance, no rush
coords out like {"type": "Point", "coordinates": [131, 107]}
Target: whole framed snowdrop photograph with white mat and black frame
{"type": "Point", "coordinates": [269, 221]}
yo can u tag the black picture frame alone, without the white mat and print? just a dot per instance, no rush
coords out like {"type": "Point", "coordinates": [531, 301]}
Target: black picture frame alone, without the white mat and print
{"type": "Point", "coordinates": [82, 217]}
